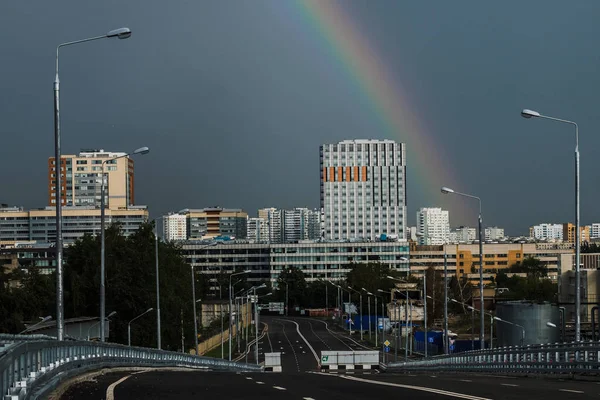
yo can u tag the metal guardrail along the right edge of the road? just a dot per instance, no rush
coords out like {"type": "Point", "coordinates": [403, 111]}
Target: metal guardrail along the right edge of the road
{"type": "Point", "coordinates": [575, 357]}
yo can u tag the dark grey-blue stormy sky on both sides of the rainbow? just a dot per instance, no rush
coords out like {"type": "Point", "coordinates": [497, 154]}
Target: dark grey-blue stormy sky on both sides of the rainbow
{"type": "Point", "coordinates": [234, 100]}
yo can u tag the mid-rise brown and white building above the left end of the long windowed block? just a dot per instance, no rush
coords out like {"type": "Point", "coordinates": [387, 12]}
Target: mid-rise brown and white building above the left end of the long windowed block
{"type": "Point", "coordinates": [207, 223]}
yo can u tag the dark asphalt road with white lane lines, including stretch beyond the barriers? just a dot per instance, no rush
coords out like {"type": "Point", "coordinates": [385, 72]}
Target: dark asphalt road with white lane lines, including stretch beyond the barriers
{"type": "Point", "coordinates": [300, 340]}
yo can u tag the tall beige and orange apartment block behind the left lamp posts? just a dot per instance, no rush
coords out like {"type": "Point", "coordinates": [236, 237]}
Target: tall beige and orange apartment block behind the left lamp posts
{"type": "Point", "coordinates": [82, 179]}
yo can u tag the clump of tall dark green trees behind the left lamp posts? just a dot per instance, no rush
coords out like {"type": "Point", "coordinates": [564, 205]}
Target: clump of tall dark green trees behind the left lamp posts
{"type": "Point", "coordinates": [131, 286]}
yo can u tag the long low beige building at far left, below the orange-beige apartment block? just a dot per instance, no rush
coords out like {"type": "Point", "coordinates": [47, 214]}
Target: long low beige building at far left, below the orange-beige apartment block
{"type": "Point", "coordinates": [17, 224]}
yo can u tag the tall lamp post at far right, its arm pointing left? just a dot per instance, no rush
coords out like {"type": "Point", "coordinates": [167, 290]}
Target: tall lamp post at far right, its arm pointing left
{"type": "Point", "coordinates": [534, 114]}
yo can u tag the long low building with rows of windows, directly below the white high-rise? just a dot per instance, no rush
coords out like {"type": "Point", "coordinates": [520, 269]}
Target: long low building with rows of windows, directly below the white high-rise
{"type": "Point", "coordinates": [318, 260]}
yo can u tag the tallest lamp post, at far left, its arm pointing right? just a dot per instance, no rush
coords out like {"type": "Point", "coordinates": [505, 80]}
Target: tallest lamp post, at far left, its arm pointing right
{"type": "Point", "coordinates": [121, 33]}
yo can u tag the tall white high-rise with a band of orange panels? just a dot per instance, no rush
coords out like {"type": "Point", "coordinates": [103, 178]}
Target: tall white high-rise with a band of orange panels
{"type": "Point", "coordinates": [363, 189]}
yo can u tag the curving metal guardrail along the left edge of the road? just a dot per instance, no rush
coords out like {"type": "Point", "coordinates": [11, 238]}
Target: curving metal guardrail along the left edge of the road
{"type": "Point", "coordinates": [29, 369]}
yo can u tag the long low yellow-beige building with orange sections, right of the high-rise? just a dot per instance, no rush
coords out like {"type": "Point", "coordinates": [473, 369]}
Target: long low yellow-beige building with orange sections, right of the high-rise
{"type": "Point", "coordinates": [463, 259]}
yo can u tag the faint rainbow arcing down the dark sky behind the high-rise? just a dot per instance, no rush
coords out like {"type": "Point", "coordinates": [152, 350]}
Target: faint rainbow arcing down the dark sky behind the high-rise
{"type": "Point", "coordinates": [365, 68]}
